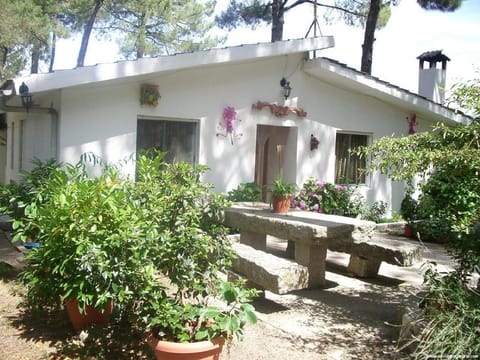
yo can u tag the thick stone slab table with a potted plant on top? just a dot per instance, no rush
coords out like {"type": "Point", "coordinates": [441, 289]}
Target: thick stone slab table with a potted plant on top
{"type": "Point", "coordinates": [308, 233]}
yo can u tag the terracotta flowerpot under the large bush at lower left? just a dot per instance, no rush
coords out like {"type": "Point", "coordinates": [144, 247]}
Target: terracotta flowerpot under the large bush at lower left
{"type": "Point", "coordinates": [91, 316]}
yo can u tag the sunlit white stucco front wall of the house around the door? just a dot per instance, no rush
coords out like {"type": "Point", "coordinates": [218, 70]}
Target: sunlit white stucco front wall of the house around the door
{"type": "Point", "coordinates": [102, 119]}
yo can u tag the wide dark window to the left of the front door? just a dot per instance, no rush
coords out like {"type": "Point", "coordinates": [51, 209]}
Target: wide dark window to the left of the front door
{"type": "Point", "coordinates": [177, 138]}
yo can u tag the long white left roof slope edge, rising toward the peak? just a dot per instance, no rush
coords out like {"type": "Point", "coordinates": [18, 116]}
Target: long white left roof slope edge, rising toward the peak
{"type": "Point", "coordinates": [122, 70]}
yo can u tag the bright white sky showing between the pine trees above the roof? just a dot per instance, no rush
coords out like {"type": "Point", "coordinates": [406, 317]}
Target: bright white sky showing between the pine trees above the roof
{"type": "Point", "coordinates": [409, 32]}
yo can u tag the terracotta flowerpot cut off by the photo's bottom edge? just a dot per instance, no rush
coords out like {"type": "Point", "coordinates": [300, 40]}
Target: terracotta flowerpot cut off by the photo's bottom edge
{"type": "Point", "coordinates": [202, 350]}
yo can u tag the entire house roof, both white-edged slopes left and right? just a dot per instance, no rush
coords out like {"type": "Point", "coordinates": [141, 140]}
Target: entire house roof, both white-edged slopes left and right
{"type": "Point", "coordinates": [325, 69]}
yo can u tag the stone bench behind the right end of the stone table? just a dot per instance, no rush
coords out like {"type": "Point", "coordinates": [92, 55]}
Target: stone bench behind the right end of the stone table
{"type": "Point", "coordinates": [367, 256]}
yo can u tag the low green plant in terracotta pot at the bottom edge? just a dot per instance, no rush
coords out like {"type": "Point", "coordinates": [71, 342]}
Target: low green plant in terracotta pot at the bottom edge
{"type": "Point", "coordinates": [197, 329]}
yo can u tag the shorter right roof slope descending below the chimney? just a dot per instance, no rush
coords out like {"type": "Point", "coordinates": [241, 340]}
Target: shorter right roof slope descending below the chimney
{"type": "Point", "coordinates": [340, 75]}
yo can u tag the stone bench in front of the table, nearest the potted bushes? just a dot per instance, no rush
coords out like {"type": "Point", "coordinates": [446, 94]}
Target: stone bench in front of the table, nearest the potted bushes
{"type": "Point", "coordinates": [267, 271]}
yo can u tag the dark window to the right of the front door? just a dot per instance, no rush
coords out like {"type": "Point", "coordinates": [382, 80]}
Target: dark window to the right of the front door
{"type": "Point", "coordinates": [347, 165]}
